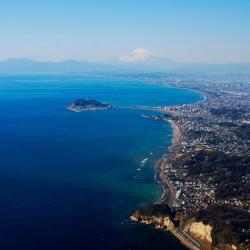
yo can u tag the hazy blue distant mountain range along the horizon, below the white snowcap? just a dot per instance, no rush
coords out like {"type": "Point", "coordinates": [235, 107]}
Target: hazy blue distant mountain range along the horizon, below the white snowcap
{"type": "Point", "coordinates": [151, 64]}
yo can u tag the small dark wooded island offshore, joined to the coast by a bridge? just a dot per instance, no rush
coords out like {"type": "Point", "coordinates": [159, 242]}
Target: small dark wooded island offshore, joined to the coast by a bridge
{"type": "Point", "coordinates": [81, 105]}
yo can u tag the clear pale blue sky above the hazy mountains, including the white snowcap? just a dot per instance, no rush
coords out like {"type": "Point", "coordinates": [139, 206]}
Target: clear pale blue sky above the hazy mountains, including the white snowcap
{"type": "Point", "coordinates": [209, 31]}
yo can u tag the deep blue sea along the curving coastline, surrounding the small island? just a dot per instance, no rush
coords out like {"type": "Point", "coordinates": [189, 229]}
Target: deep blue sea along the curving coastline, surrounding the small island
{"type": "Point", "coordinates": [71, 180]}
